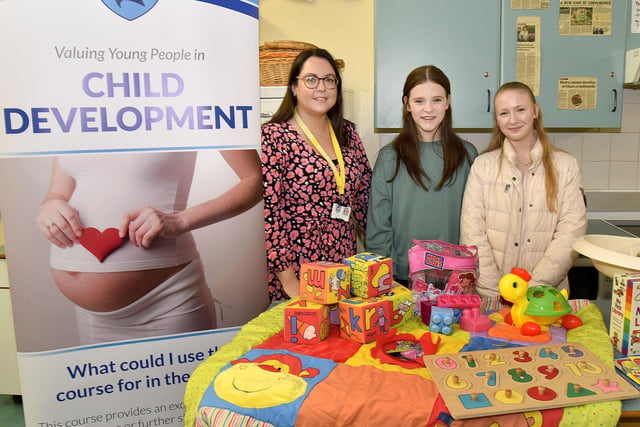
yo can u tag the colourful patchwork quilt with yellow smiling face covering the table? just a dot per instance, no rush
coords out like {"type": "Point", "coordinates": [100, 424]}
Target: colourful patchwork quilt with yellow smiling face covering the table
{"type": "Point", "coordinates": [340, 382]}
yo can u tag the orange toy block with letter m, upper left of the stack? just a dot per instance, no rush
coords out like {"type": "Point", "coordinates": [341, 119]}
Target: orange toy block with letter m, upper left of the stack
{"type": "Point", "coordinates": [325, 282]}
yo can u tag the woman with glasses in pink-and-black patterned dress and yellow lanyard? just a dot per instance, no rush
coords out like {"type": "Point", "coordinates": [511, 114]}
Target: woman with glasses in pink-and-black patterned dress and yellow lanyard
{"type": "Point", "coordinates": [316, 175]}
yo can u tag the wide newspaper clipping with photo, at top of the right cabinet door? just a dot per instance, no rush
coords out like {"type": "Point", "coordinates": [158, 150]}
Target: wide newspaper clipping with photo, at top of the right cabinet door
{"type": "Point", "coordinates": [585, 17]}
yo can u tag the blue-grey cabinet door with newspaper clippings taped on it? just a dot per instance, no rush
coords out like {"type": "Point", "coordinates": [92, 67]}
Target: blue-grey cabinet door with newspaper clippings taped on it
{"type": "Point", "coordinates": [599, 56]}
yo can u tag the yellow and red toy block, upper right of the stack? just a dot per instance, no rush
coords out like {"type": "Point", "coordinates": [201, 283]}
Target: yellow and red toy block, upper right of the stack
{"type": "Point", "coordinates": [371, 274]}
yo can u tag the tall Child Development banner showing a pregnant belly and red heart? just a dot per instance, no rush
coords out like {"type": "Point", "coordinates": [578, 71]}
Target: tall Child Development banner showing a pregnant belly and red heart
{"type": "Point", "coordinates": [130, 199]}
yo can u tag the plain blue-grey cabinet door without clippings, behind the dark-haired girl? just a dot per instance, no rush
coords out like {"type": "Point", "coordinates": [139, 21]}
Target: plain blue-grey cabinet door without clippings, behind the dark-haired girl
{"type": "Point", "coordinates": [461, 37]}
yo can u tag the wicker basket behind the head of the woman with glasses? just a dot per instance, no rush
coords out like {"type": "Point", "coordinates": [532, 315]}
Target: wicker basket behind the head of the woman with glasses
{"type": "Point", "coordinates": [276, 58]}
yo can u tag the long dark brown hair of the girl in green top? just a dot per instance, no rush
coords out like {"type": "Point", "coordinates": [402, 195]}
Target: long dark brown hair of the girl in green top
{"type": "Point", "coordinates": [407, 143]}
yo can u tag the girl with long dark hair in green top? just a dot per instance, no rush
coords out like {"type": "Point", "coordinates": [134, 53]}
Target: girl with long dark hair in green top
{"type": "Point", "coordinates": [419, 178]}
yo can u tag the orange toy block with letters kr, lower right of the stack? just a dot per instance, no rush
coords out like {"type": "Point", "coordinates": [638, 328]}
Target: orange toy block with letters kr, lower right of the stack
{"type": "Point", "coordinates": [364, 319]}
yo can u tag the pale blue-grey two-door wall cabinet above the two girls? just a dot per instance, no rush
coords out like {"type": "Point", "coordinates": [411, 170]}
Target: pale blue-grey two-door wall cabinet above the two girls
{"type": "Point", "coordinates": [474, 43]}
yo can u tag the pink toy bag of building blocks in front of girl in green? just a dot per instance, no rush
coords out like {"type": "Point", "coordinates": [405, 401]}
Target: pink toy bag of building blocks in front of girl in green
{"type": "Point", "coordinates": [437, 267]}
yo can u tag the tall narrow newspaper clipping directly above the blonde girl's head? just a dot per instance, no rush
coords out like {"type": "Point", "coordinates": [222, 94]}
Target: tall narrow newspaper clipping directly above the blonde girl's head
{"type": "Point", "coordinates": [528, 52]}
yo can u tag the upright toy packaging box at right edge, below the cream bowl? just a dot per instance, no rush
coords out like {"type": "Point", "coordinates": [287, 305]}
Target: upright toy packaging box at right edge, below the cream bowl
{"type": "Point", "coordinates": [624, 328]}
